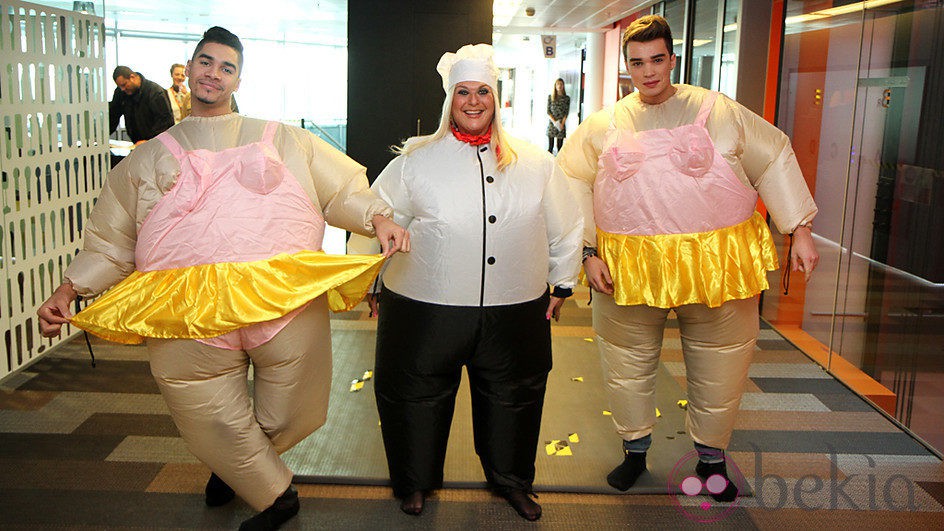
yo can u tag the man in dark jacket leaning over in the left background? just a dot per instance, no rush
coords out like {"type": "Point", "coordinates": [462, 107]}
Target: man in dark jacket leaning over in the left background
{"type": "Point", "coordinates": [143, 103]}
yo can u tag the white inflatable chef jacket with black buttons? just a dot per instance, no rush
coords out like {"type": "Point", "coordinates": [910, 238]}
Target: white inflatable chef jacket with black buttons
{"type": "Point", "coordinates": [479, 236]}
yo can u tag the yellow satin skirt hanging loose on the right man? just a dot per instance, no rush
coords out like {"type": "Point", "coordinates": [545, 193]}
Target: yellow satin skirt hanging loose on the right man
{"type": "Point", "coordinates": [708, 268]}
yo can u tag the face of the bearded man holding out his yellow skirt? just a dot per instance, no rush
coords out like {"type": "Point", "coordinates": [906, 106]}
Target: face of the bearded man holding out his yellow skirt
{"type": "Point", "coordinates": [214, 76]}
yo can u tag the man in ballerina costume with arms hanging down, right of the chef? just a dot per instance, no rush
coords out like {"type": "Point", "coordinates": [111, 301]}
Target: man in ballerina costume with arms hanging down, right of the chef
{"type": "Point", "coordinates": [669, 177]}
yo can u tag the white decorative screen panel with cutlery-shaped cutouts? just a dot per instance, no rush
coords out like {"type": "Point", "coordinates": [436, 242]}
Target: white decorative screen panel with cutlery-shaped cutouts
{"type": "Point", "coordinates": [53, 157]}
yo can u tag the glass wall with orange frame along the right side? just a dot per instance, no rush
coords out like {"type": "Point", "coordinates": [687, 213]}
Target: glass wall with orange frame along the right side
{"type": "Point", "coordinates": [860, 97]}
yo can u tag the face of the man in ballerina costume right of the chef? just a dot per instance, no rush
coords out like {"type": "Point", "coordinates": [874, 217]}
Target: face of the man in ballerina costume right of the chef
{"type": "Point", "coordinates": [650, 65]}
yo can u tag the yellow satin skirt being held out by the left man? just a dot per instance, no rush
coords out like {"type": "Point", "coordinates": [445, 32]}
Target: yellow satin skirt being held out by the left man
{"type": "Point", "coordinates": [209, 300]}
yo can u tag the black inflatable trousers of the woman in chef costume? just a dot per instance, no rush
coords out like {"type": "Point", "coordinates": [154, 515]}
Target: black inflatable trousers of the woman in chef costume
{"type": "Point", "coordinates": [421, 349]}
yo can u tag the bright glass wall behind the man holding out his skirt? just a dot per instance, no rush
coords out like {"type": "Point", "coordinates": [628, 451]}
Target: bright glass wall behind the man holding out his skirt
{"type": "Point", "coordinates": [295, 65]}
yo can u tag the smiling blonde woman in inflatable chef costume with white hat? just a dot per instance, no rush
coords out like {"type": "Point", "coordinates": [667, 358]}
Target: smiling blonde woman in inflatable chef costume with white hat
{"type": "Point", "coordinates": [492, 224]}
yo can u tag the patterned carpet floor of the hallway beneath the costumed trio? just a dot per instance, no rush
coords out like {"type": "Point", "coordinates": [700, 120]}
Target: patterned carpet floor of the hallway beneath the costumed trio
{"type": "Point", "coordinates": [84, 448]}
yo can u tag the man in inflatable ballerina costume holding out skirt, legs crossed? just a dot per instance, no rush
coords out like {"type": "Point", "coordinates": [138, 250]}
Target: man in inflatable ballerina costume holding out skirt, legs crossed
{"type": "Point", "coordinates": [210, 238]}
